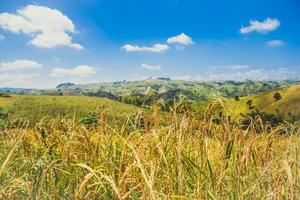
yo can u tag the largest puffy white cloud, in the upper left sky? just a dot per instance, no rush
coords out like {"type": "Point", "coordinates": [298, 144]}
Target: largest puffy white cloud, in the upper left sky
{"type": "Point", "coordinates": [48, 27]}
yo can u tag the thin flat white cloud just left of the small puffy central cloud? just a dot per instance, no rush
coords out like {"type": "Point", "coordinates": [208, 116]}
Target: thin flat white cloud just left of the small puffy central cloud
{"type": "Point", "coordinates": [157, 48]}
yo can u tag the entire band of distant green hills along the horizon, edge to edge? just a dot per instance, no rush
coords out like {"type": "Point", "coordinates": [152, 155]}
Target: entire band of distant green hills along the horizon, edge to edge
{"type": "Point", "coordinates": [165, 88]}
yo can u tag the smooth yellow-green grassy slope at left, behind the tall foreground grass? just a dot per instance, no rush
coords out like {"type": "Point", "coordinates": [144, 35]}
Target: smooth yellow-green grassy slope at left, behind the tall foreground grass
{"type": "Point", "coordinates": [37, 108]}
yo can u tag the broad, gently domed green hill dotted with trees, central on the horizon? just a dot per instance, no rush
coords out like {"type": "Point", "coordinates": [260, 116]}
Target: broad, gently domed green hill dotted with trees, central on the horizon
{"type": "Point", "coordinates": [196, 88]}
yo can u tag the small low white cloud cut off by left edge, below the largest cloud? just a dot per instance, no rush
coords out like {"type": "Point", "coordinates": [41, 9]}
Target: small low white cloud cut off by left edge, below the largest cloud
{"type": "Point", "coordinates": [19, 65]}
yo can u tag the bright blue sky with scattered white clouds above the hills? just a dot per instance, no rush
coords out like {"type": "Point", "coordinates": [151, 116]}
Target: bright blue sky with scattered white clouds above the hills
{"type": "Point", "coordinates": [46, 42]}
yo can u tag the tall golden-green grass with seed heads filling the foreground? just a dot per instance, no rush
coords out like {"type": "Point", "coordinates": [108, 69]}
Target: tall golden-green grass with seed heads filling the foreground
{"type": "Point", "coordinates": [185, 158]}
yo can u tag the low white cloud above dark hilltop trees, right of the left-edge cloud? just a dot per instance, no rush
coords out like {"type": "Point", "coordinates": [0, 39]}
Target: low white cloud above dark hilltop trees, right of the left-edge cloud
{"type": "Point", "coordinates": [79, 71]}
